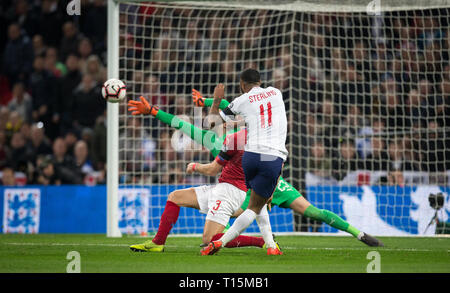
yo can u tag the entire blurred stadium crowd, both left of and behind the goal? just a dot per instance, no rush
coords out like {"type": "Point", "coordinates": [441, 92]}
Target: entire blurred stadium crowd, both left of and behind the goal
{"type": "Point", "coordinates": [362, 92]}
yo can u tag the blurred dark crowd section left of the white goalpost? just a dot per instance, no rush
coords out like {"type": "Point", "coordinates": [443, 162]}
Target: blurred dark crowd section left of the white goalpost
{"type": "Point", "coordinates": [52, 116]}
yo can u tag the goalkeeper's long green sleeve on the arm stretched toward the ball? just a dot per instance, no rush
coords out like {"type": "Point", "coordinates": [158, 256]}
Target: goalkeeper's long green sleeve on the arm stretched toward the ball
{"type": "Point", "coordinates": [203, 137]}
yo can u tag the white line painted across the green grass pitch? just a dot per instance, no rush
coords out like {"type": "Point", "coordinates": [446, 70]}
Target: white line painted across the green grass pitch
{"type": "Point", "coordinates": [288, 248]}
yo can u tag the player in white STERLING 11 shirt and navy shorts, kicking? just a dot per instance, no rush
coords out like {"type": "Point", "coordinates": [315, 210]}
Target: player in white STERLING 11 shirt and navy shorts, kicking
{"type": "Point", "coordinates": [265, 152]}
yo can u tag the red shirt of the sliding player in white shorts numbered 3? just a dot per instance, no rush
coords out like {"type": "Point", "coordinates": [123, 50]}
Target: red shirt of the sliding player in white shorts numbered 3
{"type": "Point", "coordinates": [230, 157]}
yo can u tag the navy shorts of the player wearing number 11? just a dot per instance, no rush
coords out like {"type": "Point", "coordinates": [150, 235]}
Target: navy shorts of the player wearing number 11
{"type": "Point", "coordinates": [261, 172]}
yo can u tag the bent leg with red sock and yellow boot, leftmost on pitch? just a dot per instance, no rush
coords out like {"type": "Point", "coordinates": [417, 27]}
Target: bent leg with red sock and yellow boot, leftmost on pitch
{"type": "Point", "coordinates": [175, 200]}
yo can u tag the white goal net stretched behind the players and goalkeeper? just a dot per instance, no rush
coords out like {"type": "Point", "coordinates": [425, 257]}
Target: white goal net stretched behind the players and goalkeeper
{"type": "Point", "coordinates": [367, 94]}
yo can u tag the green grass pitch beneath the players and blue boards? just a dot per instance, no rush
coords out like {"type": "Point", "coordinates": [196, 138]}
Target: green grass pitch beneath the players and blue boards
{"type": "Point", "coordinates": [45, 253]}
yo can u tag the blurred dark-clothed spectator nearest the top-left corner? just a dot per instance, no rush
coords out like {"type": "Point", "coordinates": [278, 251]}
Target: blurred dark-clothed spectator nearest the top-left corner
{"type": "Point", "coordinates": [18, 55]}
